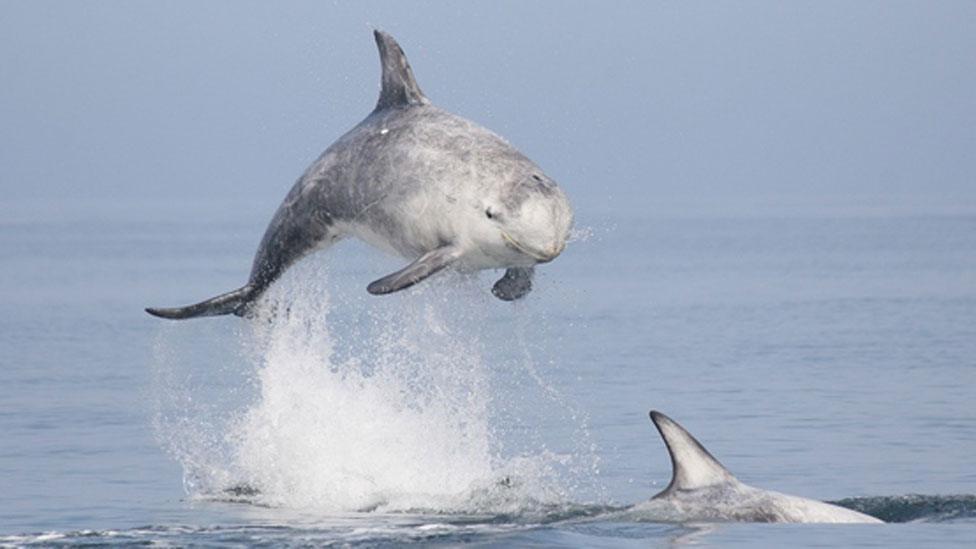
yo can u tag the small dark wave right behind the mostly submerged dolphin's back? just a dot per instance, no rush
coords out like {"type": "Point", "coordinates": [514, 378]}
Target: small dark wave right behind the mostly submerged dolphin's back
{"type": "Point", "coordinates": [914, 507]}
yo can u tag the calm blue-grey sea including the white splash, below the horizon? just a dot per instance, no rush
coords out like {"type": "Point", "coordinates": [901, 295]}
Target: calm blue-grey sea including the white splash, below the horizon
{"type": "Point", "coordinates": [828, 354]}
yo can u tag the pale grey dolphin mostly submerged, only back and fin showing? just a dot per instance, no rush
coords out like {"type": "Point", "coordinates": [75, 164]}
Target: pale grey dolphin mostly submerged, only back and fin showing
{"type": "Point", "coordinates": [702, 490]}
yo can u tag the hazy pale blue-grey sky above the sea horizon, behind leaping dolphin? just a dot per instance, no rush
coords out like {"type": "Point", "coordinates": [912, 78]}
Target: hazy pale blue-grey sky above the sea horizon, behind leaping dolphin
{"type": "Point", "coordinates": [632, 105]}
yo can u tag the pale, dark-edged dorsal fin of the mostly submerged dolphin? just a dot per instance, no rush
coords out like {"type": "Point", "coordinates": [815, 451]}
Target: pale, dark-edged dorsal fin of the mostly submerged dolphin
{"type": "Point", "coordinates": [693, 467]}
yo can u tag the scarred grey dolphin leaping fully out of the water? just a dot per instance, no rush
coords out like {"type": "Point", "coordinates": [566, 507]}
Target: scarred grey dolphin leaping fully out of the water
{"type": "Point", "coordinates": [419, 182]}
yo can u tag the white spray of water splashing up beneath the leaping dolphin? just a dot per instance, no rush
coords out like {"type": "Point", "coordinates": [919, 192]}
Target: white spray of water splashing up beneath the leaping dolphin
{"type": "Point", "coordinates": [359, 403]}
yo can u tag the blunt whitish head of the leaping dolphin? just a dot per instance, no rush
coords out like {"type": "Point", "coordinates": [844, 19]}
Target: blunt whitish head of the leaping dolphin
{"type": "Point", "coordinates": [527, 221]}
